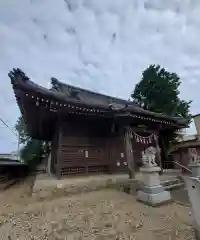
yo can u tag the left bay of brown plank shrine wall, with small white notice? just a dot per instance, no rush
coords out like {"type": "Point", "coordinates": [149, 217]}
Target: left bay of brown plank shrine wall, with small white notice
{"type": "Point", "coordinates": [82, 149]}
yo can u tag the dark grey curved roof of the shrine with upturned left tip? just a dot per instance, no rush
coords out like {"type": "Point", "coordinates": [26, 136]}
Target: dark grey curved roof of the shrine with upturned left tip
{"type": "Point", "coordinates": [75, 95]}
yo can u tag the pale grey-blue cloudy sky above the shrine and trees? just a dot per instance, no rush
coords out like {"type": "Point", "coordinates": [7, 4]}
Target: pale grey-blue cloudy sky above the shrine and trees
{"type": "Point", "coordinates": [102, 45]}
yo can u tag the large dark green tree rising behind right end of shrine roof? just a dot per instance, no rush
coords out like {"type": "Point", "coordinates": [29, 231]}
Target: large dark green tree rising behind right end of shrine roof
{"type": "Point", "coordinates": [158, 91]}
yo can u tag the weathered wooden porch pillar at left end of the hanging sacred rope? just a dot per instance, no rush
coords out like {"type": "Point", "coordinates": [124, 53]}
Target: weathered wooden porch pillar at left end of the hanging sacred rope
{"type": "Point", "coordinates": [129, 151]}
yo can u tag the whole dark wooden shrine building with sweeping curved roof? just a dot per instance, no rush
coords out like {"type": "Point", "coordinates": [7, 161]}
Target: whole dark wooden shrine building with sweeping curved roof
{"type": "Point", "coordinates": [89, 132]}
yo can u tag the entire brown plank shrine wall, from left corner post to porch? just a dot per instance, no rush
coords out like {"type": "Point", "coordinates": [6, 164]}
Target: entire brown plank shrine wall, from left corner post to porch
{"type": "Point", "coordinates": [89, 148]}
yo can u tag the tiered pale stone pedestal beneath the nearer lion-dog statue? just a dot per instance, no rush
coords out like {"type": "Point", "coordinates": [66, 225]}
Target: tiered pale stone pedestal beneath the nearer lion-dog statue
{"type": "Point", "coordinates": [152, 192]}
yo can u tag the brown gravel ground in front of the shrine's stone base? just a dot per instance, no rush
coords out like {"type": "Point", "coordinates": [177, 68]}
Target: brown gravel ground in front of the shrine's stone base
{"type": "Point", "coordinates": [105, 214]}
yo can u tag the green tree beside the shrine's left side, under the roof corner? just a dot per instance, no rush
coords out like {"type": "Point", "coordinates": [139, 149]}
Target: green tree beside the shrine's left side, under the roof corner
{"type": "Point", "coordinates": [33, 150]}
